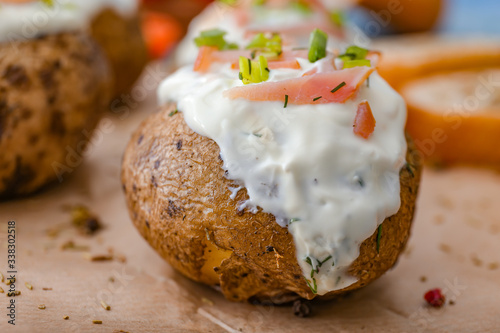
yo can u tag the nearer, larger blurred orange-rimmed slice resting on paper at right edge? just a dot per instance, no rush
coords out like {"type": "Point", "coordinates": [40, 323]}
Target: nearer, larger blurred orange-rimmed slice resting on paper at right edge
{"type": "Point", "coordinates": [454, 117]}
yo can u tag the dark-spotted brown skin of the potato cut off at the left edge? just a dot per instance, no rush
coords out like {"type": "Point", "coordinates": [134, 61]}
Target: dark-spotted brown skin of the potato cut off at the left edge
{"type": "Point", "coordinates": [53, 91]}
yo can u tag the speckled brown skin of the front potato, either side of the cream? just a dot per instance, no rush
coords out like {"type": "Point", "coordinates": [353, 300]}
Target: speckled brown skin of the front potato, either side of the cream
{"type": "Point", "coordinates": [178, 199]}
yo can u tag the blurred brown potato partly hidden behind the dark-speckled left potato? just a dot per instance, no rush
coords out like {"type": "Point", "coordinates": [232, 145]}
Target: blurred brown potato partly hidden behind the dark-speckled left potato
{"type": "Point", "coordinates": [121, 40]}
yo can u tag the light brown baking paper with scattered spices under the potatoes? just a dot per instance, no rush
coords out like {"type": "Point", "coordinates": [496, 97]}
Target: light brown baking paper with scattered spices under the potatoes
{"type": "Point", "coordinates": [455, 246]}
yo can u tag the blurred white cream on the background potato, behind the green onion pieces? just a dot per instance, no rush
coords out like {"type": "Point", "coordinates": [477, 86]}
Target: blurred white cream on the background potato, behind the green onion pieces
{"type": "Point", "coordinates": [219, 15]}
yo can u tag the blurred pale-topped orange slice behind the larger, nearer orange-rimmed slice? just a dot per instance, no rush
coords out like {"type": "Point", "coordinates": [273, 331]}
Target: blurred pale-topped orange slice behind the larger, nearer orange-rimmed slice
{"type": "Point", "coordinates": [407, 57]}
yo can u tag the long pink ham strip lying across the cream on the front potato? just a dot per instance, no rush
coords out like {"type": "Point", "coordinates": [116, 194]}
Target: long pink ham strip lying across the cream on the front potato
{"type": "Point", "coordinates": [304, 90]}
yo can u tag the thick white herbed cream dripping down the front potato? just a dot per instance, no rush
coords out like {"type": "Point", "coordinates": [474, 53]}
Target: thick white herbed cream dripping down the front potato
{"type": "Point", "coordinates": [303, 163]}
